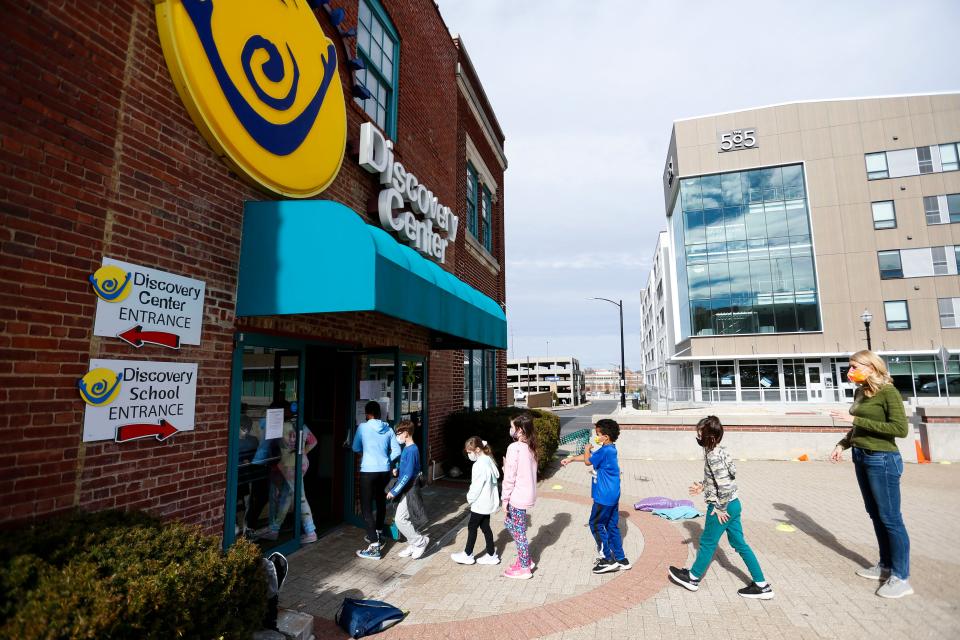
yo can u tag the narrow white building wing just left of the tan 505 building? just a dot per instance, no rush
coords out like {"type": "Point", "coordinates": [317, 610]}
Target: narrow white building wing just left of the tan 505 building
{"type": "Point", "coordinates": [656, 304]}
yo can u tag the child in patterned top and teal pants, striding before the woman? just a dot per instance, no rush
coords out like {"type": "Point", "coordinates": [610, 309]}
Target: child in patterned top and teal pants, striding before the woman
{"type": "Point", "coordinates": [719, 490]}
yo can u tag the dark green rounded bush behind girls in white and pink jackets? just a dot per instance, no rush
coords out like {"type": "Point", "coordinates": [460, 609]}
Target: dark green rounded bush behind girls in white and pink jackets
{"type": "Point", "coordinates": [493, 425]}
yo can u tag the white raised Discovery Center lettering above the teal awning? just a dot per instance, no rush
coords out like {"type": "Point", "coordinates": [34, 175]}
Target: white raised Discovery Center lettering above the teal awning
{"type": "Point", "coordinates": [427, 226]}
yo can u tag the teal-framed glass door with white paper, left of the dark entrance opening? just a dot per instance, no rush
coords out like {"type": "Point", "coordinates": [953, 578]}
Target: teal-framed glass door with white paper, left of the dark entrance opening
{"type": "Point", "coordinates": [265, 486]}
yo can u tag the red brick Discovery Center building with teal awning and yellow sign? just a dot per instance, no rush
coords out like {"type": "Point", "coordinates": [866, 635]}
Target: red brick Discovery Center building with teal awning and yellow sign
{"type": "Point", "coordinates": [213, 243]}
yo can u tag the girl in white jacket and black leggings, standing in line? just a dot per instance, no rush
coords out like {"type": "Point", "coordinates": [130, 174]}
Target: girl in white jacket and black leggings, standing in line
{"type": "Point", "coordinates": [484, 499]}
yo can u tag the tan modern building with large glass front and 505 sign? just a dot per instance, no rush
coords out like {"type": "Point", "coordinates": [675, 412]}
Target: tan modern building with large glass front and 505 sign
{"type": "Point", "coordinates": [791, 223]}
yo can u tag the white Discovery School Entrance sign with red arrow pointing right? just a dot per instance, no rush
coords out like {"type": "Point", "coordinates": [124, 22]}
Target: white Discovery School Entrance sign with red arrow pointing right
{"type": "Point", "coordinates": [132, 399]}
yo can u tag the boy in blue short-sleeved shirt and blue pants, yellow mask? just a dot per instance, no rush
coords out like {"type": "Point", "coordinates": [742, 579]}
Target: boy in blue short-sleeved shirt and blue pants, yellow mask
{"type": "Point", "coordinates": [605, 514]}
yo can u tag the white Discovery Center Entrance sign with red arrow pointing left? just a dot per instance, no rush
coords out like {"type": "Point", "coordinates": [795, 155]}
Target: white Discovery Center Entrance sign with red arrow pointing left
{"type": "Point", "coordinates": [142, 306]}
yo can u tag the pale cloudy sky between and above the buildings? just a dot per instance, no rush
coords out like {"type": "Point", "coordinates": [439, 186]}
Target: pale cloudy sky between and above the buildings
{"type": "Point", "coordinates": [586, 94]}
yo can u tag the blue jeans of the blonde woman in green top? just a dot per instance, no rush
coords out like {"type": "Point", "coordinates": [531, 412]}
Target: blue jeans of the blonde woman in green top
{"type": "Point", "coordinates": [878, 474]}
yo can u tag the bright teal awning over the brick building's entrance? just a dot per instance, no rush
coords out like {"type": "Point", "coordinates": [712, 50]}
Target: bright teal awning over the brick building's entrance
{"type": "Point", "coordinates": [318, 256]}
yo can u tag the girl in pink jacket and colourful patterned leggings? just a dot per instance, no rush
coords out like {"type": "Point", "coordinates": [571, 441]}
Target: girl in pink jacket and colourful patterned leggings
{"type": "Point", "coordinates": [520, 491]}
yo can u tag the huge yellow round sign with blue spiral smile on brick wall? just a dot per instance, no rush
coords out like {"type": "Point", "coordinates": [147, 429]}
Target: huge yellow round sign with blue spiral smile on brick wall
{"type": "Point", "coordinates": [260, 81]}
